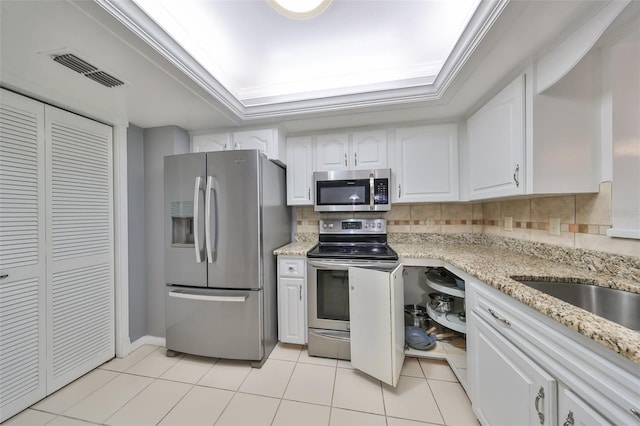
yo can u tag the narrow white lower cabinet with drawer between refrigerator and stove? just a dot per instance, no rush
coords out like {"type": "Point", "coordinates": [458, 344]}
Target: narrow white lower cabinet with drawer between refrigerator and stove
{"type": "Point", "coordinates": [292, 300]}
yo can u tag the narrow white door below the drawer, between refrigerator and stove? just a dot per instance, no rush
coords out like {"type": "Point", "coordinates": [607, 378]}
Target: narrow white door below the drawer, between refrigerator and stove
{"type": "Point", "coordinates": [291, 318]}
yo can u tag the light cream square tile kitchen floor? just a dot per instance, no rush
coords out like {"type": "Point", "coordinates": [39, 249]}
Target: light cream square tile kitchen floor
{"type": "Point", "coordinates": [292, 388]}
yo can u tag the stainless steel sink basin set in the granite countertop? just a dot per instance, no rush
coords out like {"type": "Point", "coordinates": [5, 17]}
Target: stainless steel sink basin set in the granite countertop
{"type": "Point", "coordinates": [621, 307]}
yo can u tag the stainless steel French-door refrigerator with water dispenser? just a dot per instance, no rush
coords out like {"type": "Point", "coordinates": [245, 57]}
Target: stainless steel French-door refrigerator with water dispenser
{"type": "Point", "coordinates": [225, 213]}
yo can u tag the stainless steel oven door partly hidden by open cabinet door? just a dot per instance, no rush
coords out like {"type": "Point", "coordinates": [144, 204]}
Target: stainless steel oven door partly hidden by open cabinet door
{"type": "Point", "coordinates": [328, 290]}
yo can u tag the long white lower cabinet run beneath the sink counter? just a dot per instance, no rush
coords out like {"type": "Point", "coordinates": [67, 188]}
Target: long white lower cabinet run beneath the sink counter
{"type": "Point", "coordinates": [522, 365]}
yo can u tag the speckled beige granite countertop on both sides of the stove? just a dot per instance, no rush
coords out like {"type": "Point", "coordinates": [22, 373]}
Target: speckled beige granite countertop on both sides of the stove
{"type": "Point", "coordinates": [496, 265]}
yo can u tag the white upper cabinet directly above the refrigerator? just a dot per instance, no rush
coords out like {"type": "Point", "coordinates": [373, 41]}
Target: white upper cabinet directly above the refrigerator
{"type": "Point", "coordinates": [269, 141]}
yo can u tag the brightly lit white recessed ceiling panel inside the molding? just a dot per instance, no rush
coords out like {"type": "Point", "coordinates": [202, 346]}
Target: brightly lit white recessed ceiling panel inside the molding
{"type": "Point", "coordinates": [263, 57]}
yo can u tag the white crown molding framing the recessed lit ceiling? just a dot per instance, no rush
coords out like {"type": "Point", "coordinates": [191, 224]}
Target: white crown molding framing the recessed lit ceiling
{"type": "Point", "coordinates": [414, 90]}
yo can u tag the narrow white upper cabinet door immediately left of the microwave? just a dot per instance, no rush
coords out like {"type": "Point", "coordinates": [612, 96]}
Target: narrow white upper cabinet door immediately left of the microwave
{"type": "Point", "coordinates": [300, 189]}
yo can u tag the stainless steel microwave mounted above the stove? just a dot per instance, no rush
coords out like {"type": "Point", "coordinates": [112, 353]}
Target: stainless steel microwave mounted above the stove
{"type": "Point", "coordinates": [352, 190]}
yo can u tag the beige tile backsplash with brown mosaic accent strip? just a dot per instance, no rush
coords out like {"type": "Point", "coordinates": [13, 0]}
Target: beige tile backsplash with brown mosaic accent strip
{"type": "Point", "coordinates": [583, 220]}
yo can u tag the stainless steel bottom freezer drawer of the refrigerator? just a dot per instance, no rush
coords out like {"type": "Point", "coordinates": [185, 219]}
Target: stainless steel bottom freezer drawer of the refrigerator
{"type": "Point", "coordinates": [215, 323]}
